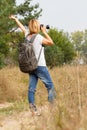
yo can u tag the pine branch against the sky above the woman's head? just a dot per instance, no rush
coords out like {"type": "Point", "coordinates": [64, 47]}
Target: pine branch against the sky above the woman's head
{"type": "Point", "coordinates": [27, 11]}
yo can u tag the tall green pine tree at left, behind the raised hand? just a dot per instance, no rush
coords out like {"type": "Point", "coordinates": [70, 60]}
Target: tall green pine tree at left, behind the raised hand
{"type": "Point", "coordinates": [24, 12]}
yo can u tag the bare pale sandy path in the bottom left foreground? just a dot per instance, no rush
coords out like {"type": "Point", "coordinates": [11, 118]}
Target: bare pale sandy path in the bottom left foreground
{"type": "Point", "coordinates": [20, 121]}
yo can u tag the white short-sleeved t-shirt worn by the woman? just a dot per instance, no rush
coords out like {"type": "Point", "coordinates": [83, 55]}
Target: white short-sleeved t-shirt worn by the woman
{"type": "Point", "coordinates": [37, 44]}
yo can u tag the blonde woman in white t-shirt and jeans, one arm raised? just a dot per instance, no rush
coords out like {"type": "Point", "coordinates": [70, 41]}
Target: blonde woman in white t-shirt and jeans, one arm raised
{"type": "Point", "coordinates": [42, 71]}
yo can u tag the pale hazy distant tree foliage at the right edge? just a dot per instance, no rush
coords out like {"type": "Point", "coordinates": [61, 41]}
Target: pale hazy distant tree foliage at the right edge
{"type": "Point", "coordinates": [79, 39]}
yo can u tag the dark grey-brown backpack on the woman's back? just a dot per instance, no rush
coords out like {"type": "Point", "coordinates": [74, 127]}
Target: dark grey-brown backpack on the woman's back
{"type": "Point", "coordinates": [26, 56]}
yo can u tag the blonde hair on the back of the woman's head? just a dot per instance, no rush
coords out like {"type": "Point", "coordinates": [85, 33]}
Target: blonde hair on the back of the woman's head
{"type": "Point", "coordinates": [34, 26]}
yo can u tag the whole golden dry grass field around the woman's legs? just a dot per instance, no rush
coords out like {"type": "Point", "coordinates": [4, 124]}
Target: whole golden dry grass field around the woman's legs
{"type": "Point", "coordinates": [70, 110]}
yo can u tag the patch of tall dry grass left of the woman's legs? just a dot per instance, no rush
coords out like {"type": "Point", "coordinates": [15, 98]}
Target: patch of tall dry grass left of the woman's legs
{"type": "Point", "coordinates": [13, 84]}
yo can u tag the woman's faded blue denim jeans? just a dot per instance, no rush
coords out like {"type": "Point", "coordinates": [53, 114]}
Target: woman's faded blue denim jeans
{"type": "Point", "coordinates": [40, 73]}
